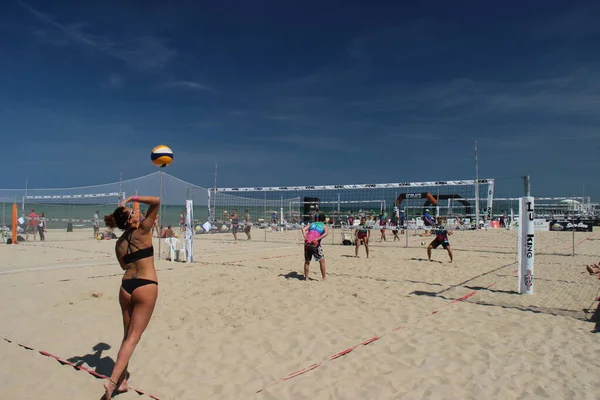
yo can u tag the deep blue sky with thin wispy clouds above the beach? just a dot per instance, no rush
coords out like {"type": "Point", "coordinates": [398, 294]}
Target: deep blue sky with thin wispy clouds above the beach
{"type": "Point", "coordinates": [306, 93]}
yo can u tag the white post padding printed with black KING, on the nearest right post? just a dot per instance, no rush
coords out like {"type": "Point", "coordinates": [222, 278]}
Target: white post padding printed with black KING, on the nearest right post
{"type": "Point", "coordinates": [526, 246]}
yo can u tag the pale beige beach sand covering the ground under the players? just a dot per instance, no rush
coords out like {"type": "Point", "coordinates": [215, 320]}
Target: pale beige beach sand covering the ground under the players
{"type": "Point", "coordinates": [238, 320]}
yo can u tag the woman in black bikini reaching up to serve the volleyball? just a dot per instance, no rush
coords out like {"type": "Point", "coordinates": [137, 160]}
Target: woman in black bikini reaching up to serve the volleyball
{"type": "Point", "coordinates": [139, 287]}
